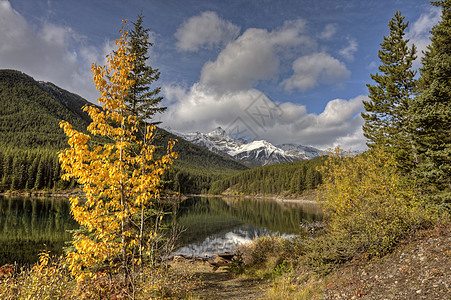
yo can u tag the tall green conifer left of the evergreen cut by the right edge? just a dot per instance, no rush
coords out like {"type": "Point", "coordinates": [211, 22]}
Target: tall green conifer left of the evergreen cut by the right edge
{"type": "Point", "coordinates": [386, 113]}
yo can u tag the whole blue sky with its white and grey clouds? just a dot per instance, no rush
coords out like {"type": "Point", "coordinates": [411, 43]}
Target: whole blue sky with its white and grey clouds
{"type": "Point", "coordinates": [287, 71]}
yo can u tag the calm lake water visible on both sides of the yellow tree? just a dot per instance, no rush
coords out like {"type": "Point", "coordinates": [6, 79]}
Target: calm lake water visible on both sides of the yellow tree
{"type": "Point", "coordinates": [212, 225]}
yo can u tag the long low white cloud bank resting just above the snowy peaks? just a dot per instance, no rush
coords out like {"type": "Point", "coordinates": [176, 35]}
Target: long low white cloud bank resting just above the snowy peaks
{"type": "Point", "coordinates": [258, 117]}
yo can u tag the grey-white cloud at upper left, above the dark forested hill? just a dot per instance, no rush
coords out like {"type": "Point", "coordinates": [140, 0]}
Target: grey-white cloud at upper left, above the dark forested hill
{"type": "Point", "coordinates": [51, 53]}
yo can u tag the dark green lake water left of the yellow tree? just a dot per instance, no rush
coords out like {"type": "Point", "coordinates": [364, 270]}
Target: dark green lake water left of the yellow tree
{"type": "Point", "coordinates": [29, 225]}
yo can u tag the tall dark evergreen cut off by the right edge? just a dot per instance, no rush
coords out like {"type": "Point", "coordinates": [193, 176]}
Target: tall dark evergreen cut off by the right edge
{"type": "Point", "coordinates": [431, 110]}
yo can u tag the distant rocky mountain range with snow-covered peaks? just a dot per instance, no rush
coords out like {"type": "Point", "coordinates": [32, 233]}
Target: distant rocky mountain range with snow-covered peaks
{"type": "Point", "coordinates": [258, 153]}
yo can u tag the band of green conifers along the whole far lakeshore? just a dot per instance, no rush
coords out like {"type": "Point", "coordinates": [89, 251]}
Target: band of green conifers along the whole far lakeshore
{"type": "Point", "coordinates": [39, 169]}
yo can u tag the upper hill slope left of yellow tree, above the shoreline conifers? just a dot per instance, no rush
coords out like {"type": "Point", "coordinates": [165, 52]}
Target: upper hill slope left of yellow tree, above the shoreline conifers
{"type": "Point", "coordinates": [30, 112]}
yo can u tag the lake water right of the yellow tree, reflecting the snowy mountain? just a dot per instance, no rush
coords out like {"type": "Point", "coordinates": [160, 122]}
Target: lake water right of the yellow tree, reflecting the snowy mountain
{"type": "Point", "coordinates": [215, 225]}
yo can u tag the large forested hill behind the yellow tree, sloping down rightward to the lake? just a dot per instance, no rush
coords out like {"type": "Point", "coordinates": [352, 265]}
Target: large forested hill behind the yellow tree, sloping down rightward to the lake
{"type": "Point", "coordinates": [30, 138]}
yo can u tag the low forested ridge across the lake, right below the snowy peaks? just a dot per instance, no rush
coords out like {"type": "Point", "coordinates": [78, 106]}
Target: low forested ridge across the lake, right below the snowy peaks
{"type": "Point", "coordinates": [293, 177]}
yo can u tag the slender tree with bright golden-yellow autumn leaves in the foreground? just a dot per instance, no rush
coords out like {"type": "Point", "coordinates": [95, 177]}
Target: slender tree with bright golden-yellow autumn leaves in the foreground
{"type": "Point", "coordinates": [120, 177]}
